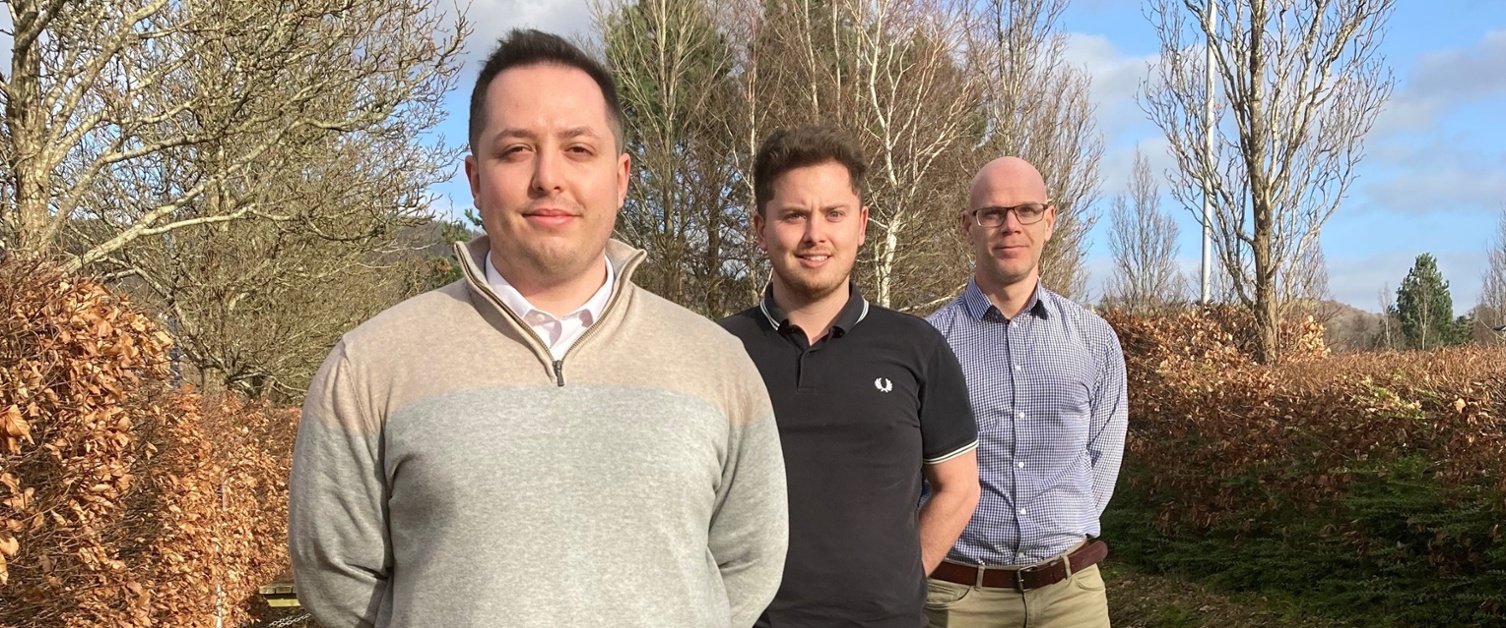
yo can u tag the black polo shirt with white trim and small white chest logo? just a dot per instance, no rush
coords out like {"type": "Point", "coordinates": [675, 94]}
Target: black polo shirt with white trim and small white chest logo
{"type": "Point", "coordinates": [859, 413]}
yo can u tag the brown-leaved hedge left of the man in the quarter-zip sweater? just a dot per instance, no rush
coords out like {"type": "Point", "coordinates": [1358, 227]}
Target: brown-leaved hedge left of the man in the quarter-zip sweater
{"type": "Point", "coordinates": [126, 501]}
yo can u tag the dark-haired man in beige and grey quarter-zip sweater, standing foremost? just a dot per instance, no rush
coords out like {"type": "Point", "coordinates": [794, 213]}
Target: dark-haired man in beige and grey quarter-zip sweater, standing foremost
{"type": "Point", "coordinates": [541, 444]}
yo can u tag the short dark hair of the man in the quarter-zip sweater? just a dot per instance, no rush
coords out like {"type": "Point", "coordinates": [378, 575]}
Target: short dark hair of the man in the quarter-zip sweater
{"type": "Point", "coordinates": [526, 47]}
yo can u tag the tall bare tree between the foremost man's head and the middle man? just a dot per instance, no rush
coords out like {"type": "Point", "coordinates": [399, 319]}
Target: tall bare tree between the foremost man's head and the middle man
{"type": "Point", "coordinates": [686, 207]}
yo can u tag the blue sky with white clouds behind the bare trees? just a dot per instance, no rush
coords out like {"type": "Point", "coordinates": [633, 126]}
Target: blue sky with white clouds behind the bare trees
{"type": "Point", "coordinates": [1434, 180]}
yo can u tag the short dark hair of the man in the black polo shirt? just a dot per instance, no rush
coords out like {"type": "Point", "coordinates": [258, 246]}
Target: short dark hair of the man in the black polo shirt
{"type": "Point", "coordinates": [800, 147]}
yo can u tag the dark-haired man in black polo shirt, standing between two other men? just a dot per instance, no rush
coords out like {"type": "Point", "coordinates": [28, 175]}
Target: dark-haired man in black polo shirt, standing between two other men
{"type": "Point", "coordinates": [868, 403]}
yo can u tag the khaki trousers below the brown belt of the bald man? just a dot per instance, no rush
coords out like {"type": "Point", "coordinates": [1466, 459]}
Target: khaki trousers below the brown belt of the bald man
{"type": "Point", "coordinates": [1075, 603]}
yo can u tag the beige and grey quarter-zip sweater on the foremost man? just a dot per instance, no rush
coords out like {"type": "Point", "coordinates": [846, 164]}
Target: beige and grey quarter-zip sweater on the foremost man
{"type": "Point", "coordinates": [450, 472]}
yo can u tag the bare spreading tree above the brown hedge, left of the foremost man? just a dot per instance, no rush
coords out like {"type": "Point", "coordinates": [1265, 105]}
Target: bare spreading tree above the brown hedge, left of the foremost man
{"type": "Point", "coordinates": [252, 172]}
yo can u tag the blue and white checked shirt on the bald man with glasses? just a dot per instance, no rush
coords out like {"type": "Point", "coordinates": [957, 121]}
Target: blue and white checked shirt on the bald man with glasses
{"type": "Point", "coordinates": [1049, 395]}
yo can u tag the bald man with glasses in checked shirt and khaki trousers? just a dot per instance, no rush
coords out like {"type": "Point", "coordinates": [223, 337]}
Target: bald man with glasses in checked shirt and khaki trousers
{"type": "Point", "coordinates": [1047, 385]}
